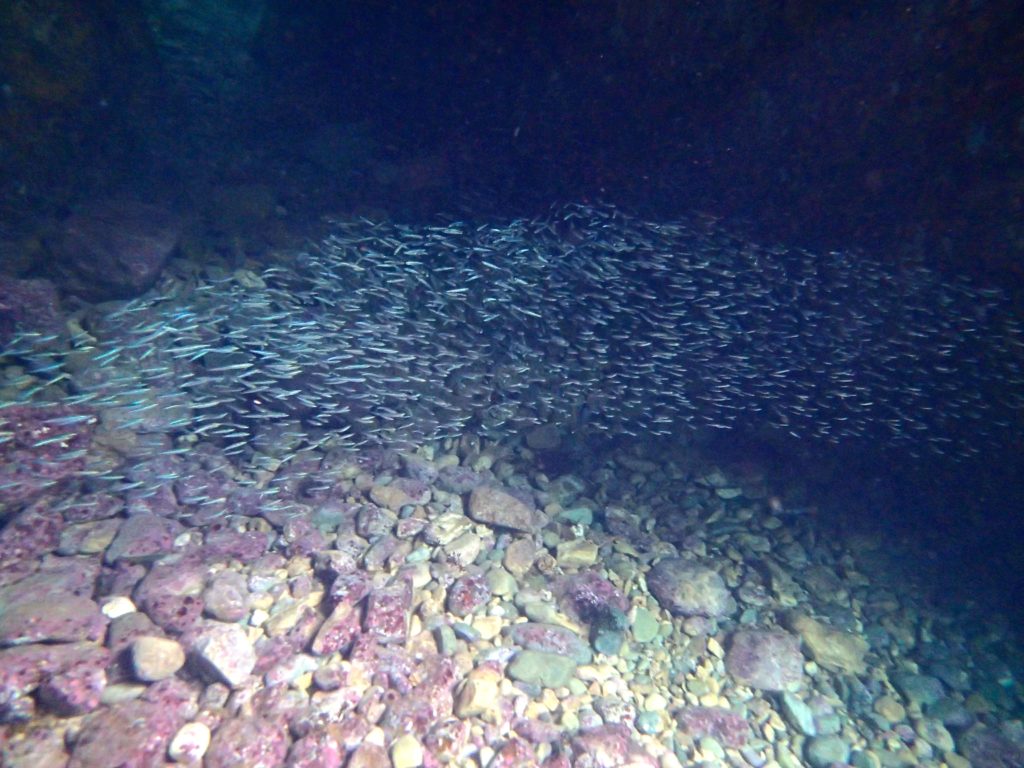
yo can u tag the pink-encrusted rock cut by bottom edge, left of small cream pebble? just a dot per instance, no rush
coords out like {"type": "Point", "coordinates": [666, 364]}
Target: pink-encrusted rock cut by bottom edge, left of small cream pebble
{"type": "Point", "coordinates": [134, 735]}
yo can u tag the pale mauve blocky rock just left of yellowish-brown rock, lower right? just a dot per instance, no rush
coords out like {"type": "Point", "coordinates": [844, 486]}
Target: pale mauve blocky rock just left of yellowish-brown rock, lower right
{"type": "Point", "coordinates": [765, 660]}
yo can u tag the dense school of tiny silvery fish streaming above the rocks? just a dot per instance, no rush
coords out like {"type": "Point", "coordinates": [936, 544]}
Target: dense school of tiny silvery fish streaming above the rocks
{"type": "Point", "coordinates": [387, 334]}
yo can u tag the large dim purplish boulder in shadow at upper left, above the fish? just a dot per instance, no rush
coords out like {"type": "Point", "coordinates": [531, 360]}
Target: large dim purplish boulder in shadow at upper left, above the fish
{"type": "Point", "coordinates": [115, 249]}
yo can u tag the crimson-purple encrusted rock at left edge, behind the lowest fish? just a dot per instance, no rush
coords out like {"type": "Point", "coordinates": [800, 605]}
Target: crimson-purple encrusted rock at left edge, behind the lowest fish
{"type": "Point", "coordinates": [42, 451]}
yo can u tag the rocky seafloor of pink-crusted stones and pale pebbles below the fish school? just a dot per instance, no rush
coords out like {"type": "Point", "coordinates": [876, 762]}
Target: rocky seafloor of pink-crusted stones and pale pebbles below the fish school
{"type": "Point", "coordinates": [518, 600]}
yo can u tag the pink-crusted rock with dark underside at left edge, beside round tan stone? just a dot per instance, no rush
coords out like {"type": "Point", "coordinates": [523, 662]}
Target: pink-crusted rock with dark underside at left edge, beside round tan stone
{"type": "Point", "coordinates": [73, 676]}
